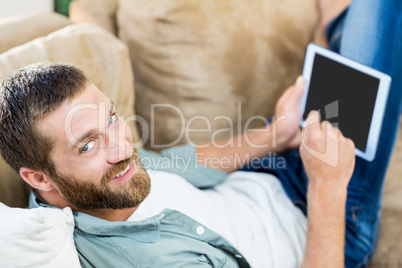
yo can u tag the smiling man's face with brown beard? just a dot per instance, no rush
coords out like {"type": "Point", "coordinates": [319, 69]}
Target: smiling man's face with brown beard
{"type": "Point", "coordinates": [96, 166]}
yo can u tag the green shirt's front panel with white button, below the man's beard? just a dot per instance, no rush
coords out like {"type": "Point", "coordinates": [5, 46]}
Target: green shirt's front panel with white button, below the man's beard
{"type": "Point", "coordinates": [170, 239]}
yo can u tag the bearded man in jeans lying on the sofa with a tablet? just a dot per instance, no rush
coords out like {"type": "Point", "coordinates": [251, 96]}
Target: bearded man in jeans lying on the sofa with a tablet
{"type": "Point", "coordinates": [63, 136]}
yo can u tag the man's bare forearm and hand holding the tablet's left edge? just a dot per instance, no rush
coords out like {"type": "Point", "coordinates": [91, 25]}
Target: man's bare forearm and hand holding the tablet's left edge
{"type": "Point", "coordinates": [281, 135]}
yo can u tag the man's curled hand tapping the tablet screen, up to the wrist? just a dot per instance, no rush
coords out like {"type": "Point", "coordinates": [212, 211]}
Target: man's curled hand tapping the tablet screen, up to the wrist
{"type": "Point", "coordinates": [328, 157]}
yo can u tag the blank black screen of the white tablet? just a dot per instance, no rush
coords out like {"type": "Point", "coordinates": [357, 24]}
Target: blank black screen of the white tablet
{"type": "Point", "coordinates": [344, 96]}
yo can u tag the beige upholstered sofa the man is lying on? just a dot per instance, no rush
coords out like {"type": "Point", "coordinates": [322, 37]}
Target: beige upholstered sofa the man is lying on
{"type": "Point", "coordinates": [183, 72]}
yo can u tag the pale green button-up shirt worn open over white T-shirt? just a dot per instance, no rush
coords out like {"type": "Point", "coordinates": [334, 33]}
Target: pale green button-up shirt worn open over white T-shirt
{"type": "Point", "coordinates": [169, 239]}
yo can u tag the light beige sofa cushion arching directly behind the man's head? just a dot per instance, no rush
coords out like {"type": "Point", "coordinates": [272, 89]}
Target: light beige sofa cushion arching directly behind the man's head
{"type": "Point", "coordinates": [103, 58]}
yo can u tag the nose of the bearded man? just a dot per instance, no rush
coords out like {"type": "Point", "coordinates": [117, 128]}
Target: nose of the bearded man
{"type": "Point", "coordinates": [118, 147]}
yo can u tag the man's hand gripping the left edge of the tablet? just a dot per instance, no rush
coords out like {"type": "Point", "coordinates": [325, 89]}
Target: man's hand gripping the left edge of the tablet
{"type": "Point", "coordinates": [287, 117]}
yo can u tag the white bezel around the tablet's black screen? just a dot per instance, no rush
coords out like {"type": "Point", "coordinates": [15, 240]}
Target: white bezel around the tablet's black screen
{"type": "Point", "coordinates": [380, 103]}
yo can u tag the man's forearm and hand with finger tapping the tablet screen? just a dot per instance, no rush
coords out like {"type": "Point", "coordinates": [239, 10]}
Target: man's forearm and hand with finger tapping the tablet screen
{"type": "Point", "coordinates": [328, 158]}
